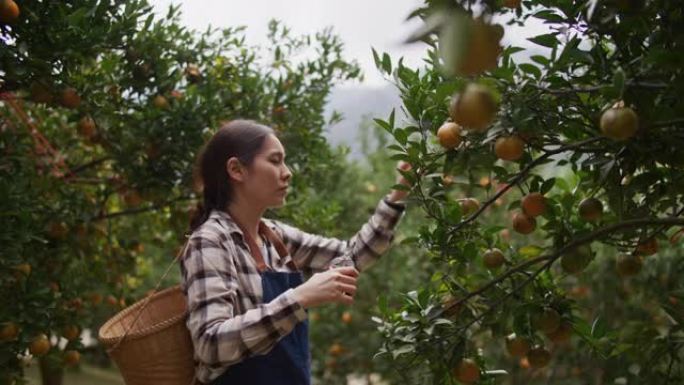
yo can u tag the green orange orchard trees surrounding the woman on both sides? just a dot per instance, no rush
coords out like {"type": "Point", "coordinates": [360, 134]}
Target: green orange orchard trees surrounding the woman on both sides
{"type": "Point", "coordinates": [543, 238]}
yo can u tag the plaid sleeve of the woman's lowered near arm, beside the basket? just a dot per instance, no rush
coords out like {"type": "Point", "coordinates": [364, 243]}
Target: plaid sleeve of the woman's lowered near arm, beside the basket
{"type": "Point", "coordinates": [220, 335]}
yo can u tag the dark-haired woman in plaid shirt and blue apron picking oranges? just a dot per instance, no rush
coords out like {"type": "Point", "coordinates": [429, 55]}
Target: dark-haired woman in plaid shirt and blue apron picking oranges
{"type": "Point", "coordinates": [242, 275]}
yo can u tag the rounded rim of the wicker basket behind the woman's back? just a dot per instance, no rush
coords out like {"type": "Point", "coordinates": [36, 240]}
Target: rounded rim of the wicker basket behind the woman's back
{"type": "Point", "coordinates": [143, 332]}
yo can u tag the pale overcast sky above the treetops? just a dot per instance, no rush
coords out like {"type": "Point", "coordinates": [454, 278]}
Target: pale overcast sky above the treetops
{"type": "Point", "coordinates": [360, 24]}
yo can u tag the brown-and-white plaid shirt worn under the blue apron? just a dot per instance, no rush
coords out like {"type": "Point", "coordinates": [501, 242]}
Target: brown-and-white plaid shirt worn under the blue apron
{"type": "Point", "coordinates": [228, 320]}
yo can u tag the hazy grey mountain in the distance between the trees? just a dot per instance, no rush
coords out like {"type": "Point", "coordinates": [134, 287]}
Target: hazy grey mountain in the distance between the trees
{"type": "Point", "coordinates": [355, 104]}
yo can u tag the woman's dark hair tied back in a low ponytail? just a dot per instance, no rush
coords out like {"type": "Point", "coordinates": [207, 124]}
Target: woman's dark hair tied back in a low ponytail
{"type": "Point", "coordinates": [242, 139]}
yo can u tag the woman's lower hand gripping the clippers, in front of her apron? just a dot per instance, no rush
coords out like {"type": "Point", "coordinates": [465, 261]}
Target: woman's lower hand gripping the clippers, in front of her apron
{"type": "Point", "coordinates": [337, 285]}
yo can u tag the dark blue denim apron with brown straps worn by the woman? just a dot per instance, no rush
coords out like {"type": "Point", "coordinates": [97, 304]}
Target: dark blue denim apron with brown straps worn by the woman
{"type": "Point", "coordinates": [288, 363]}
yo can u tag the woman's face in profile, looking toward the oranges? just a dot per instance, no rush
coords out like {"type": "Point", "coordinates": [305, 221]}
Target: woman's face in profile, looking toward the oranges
{"type": "Point", "coordinates": [268, 177]}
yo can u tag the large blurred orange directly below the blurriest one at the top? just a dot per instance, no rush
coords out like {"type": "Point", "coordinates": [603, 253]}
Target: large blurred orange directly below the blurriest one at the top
{"type": "Point", "coordinates": [474, 108]}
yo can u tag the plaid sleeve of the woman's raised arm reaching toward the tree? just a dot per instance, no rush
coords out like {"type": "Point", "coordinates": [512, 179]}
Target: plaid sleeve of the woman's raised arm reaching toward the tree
{"type": "Point", "coordinates": [314, 253]}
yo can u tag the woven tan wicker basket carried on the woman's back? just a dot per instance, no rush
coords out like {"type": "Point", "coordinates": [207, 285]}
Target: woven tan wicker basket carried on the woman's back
{"type": "Point", "coordinates": [157, 349]}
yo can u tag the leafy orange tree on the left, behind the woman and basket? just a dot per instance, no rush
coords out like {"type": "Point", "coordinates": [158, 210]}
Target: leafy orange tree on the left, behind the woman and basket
{"type": "Point", "coordinates": [104, 106]}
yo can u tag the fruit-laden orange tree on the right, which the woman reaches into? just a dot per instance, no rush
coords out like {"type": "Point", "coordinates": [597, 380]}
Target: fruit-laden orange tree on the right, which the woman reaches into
{"type": "Point", "coordinates": [552, 179]}
